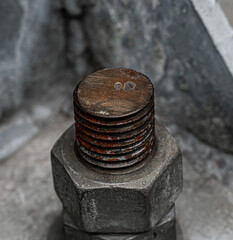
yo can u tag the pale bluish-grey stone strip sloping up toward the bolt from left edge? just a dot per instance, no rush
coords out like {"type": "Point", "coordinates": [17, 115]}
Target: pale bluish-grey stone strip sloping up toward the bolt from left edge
{"type": "Point", "coordinates": [17, 130]}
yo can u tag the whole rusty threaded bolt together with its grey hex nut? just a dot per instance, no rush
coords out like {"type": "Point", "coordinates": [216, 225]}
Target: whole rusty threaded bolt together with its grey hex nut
{"type": "Point", "coordinates": [117, 171]}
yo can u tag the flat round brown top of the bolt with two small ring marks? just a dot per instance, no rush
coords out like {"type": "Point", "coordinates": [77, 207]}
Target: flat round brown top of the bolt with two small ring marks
{"type": "Point", "coordinates": [114, 92]}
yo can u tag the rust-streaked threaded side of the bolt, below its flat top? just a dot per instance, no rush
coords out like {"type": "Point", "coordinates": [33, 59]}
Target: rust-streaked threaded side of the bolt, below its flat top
{"type": "Point", "coordinates": [114, 142]}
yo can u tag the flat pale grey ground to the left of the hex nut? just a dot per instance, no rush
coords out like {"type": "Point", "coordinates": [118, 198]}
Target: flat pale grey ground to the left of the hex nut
{"type": "Point", "coordinates": [28, 204]}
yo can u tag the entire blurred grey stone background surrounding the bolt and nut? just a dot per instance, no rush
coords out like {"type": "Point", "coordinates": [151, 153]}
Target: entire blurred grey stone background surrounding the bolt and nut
{"type": "Point", "coordinates": [47, 47]}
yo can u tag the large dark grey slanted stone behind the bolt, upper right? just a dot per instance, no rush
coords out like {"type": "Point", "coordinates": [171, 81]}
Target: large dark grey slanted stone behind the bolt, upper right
{"type": "Point", "coordinates": [167, 41]}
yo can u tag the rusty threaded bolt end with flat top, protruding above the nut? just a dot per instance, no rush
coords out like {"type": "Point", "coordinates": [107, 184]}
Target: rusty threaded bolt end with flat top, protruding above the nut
{"type": "Point", "coordinates": [114, 117]}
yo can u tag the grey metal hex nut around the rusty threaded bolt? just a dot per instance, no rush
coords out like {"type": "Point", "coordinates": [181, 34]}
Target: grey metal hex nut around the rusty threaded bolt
{"type": "Point", "coordinates": [129, 202]}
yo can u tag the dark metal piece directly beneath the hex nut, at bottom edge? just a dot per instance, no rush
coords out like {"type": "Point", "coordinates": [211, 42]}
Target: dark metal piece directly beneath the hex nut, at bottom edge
{"type": "Point", "coordinates": [165, 230]}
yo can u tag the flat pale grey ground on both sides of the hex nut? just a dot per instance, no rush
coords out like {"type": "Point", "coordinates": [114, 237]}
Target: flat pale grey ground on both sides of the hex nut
{"type": "Point", "coordinates": [29, 208]}
